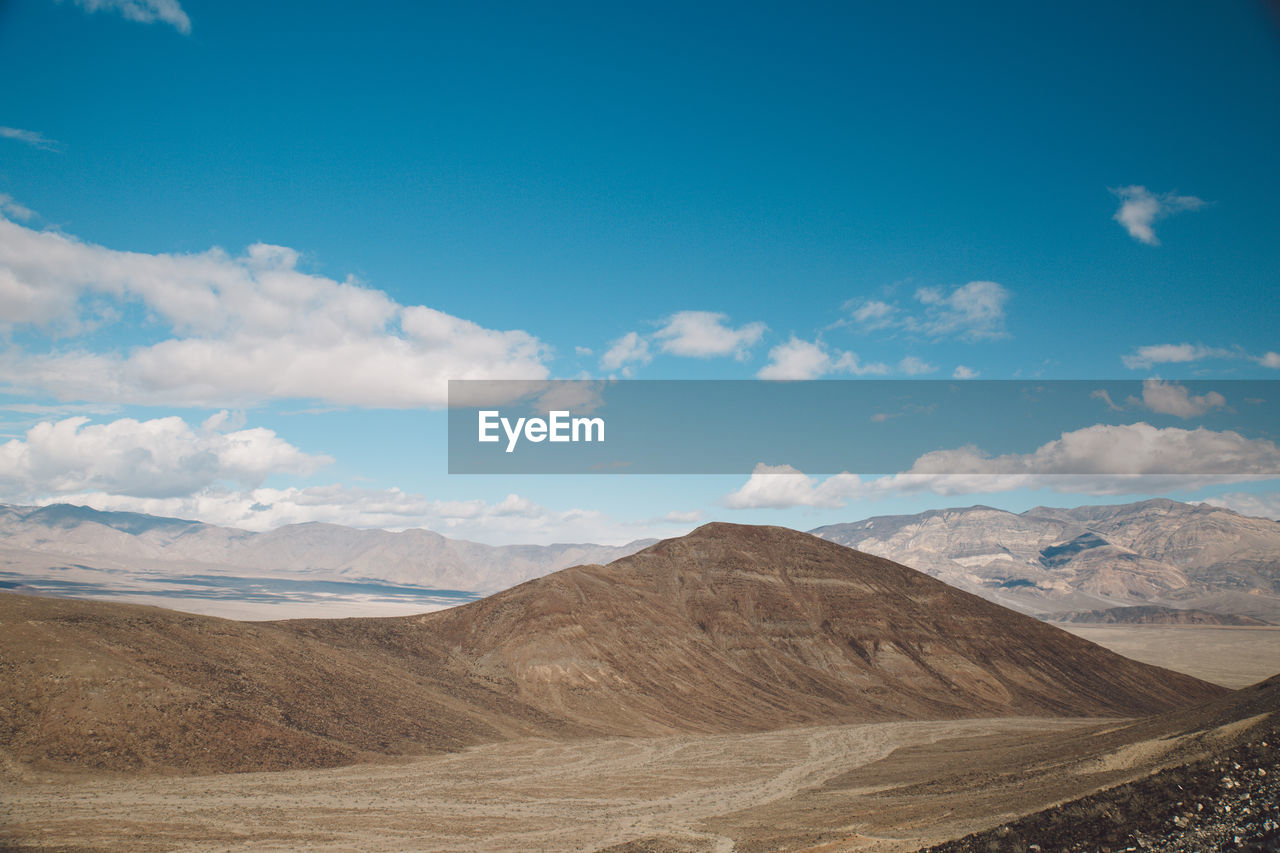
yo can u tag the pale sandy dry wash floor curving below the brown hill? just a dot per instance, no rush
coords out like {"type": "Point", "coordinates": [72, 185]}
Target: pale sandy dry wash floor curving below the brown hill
{"type": "Point", "coordinates": [529, 795]}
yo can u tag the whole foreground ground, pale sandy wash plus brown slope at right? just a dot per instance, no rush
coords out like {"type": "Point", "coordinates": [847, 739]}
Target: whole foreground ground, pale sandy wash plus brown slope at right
{"type": "Point", "coordinates": [881, 787]}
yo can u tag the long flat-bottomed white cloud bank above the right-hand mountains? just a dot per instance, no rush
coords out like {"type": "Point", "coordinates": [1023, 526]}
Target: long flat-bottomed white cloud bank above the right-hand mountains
{"type": "Point", "coordinates": [1095, 460]}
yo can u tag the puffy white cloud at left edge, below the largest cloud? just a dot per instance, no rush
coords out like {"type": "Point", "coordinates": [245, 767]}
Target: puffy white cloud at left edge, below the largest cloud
{"type": "Point", "coordinates": [158, 459]}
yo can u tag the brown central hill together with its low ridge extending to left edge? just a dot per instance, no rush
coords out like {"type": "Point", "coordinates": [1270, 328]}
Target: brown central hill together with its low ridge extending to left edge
{"type": "Point", "coordinates": [729, 630]}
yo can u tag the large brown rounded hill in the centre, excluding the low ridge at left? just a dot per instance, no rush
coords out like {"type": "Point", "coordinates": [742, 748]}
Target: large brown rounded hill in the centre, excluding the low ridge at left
{"type": "Point", "coordinates": [737, 627]}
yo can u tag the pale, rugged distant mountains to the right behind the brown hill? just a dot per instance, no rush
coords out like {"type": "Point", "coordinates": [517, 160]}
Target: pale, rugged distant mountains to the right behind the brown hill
{"type": "Point", "coordinates": [1094, 558]}
